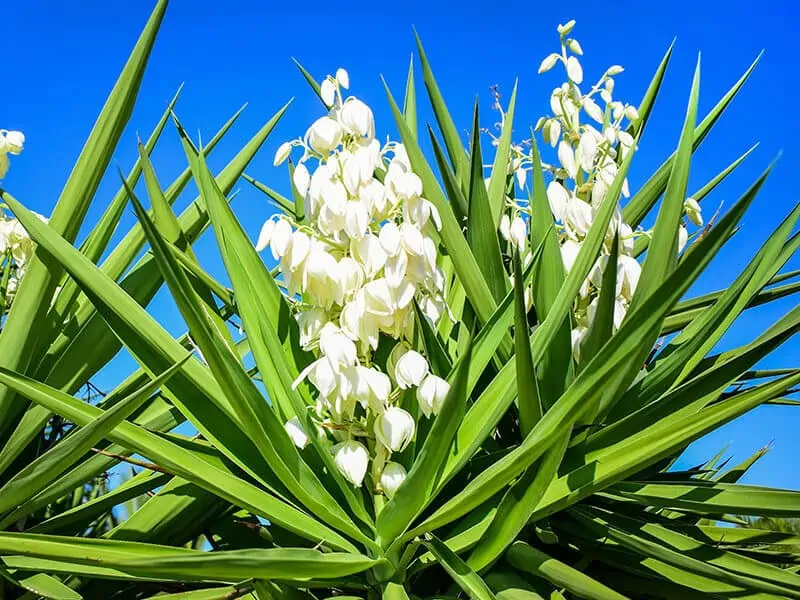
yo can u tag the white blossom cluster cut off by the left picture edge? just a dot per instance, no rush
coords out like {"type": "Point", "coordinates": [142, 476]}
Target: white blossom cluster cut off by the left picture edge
{"type": "Point", "coordinates": [16, 247]}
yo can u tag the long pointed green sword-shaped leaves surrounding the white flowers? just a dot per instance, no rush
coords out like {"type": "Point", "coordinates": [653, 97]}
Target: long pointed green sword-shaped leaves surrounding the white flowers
{"type": "Point", "coordinates": [542, 476]}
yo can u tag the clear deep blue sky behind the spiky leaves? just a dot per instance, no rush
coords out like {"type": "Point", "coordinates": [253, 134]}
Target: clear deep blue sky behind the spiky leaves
{"type": "Point", "coordinates": [61, 59]}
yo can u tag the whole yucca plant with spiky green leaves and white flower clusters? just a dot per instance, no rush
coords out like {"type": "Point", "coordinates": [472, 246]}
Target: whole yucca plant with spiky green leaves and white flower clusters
{"type": "Point", "coordinates": [463, 385]}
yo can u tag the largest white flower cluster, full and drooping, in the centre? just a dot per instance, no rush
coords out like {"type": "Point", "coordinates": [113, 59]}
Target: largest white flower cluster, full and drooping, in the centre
{"type": "Point", "coordinates": [353, 268]}
